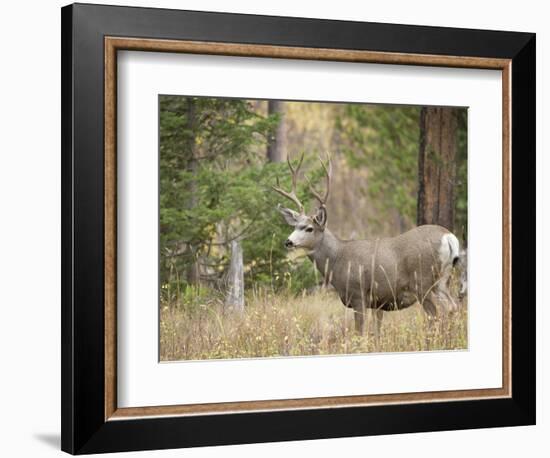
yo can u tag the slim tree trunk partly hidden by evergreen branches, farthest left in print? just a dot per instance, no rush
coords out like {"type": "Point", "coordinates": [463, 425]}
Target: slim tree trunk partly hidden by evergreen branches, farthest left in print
{"type": "Point", "coordinates": [193, 269]}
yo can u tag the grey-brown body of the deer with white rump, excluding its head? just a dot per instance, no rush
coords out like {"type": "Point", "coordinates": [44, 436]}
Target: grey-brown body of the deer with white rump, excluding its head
{"type": "Point", "coordinates": [389, 274]}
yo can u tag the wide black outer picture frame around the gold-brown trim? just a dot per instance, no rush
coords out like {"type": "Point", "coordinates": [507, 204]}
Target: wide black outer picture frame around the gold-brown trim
{"type": "Point", "coordinates": [84, 428]}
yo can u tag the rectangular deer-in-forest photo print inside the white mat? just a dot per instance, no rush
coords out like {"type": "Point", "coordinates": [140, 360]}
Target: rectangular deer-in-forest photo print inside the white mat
{"type": "Point", "coordinates": [305, 228]}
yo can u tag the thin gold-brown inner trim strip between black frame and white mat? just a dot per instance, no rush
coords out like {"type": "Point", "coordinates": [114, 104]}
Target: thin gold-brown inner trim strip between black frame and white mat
{"type": "Point", "coordinates": [112, 45]}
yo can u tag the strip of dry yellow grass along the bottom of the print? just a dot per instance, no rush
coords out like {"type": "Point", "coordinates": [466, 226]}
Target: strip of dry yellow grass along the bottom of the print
{"type": "Point", "coordinates": [283, 325]}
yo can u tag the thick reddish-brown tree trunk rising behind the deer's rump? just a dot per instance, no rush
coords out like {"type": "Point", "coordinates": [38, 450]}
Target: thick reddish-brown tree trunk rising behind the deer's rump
{"type": "Point", "coordinates": [437, 166]}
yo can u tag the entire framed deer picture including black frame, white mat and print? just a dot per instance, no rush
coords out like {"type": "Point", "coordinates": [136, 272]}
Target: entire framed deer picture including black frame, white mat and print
{"type": "Point", "coordinates": [281, 228]}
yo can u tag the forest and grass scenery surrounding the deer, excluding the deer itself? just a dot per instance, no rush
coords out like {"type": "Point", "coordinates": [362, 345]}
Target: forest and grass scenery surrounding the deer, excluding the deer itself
{"type": "Point", "coordinates": [394, 167]}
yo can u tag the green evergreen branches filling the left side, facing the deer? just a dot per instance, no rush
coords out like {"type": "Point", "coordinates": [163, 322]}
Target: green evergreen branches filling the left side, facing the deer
{"type": "Point", "coordinates": [215, 186]}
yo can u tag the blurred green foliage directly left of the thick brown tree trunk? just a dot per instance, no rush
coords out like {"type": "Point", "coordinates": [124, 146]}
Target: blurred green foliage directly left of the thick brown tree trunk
{"type": "Point", "coordinates": [384, 139]}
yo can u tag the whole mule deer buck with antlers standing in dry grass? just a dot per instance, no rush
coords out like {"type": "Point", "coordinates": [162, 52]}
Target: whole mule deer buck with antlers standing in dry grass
{"type": "Point", "coordinates": [383, 274]}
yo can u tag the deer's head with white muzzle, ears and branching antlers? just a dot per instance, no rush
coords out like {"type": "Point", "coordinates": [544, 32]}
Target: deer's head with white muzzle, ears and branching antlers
{"type": "Point", "coordinates": [308, 229]}
